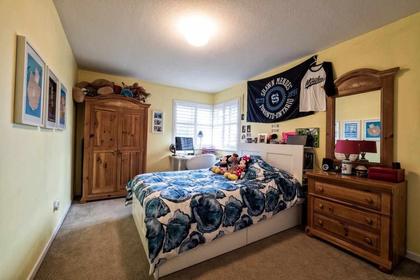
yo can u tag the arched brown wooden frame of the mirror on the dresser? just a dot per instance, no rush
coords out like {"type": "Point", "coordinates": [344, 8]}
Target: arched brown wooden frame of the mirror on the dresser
{"type": "Point", "coordinates": [360, 81]}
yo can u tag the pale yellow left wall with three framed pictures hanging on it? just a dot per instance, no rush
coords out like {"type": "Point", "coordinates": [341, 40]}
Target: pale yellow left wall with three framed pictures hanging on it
{"type": "Point", "coordinates": [35, 164]}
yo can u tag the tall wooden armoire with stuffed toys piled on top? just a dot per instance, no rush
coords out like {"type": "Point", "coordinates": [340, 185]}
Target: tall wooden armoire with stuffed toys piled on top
{"type": "Point", "coordinates": [113, 145]}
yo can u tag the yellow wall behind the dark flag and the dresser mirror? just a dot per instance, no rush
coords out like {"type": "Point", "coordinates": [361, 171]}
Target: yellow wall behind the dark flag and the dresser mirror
{"type": "Point", "coordinates": [396, 44]}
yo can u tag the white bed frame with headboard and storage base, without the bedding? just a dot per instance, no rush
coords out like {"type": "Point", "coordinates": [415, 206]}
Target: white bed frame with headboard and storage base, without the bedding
{"type": "Point", "coordinates": [286, 157]}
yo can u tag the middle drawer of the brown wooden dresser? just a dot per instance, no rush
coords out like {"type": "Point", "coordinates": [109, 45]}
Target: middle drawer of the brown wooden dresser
{"type": "Point", "coordinates": [367, 219]}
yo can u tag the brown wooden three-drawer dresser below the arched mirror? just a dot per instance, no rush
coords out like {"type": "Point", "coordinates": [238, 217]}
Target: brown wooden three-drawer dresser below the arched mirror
{"type": "Point", "coordinates": [366, 217]}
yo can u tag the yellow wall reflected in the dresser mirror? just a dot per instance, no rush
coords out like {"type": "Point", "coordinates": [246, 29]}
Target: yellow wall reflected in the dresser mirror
{"type": "Point", "coordinates": [359, 107]}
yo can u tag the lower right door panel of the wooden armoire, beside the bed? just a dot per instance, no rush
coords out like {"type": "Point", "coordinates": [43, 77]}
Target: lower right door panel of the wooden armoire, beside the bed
{"type": "Point", "coordinates": [130, 166]}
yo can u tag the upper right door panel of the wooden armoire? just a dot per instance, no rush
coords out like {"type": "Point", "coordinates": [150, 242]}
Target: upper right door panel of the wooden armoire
{"type": "Point", "coordinates": [130, 135]}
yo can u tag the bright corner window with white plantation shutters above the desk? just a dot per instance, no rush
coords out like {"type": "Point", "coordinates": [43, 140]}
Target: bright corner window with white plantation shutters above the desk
{"type": "Point", "coordinates": [219, 123]}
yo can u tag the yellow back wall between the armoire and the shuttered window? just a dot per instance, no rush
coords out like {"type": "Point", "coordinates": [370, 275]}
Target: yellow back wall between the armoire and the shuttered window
{"type": "Point", "coordinates": [161, 99]}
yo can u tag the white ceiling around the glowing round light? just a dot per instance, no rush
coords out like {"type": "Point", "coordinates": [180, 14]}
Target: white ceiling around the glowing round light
{"type": "Point", "coordinates": [139, 38]}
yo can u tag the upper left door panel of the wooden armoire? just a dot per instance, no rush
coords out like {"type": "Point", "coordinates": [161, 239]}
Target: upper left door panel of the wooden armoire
{"type": "Point", "coordinates": [104, 128]}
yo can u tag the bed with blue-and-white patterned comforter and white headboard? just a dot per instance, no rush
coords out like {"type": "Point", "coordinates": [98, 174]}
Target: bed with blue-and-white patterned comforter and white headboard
{"type": "Point", "coordinates": [186, 217]}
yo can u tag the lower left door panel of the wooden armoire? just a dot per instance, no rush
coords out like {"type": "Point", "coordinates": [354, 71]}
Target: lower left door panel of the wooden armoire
{"type": "Point", "coordinates": [104, 173]}
